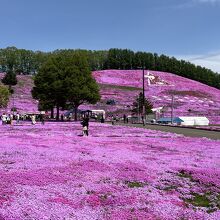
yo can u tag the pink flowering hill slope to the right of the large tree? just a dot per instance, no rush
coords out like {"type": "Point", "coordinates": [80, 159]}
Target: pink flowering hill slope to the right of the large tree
{"type": "Point", "coordinates": [190, 95]}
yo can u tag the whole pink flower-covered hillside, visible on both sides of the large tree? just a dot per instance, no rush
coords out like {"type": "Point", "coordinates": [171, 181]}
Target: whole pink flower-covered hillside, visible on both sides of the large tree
{"type": "Point", "coordinates": [190, 97]}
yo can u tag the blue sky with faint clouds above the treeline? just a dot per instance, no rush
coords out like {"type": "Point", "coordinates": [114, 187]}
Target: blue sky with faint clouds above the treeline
{"type": "Point", "coordinates": [187, 29]}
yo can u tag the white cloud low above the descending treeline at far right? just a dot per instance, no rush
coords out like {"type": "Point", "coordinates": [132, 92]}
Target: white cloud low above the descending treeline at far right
{"type": "Point", "coordinates": [210, 61]}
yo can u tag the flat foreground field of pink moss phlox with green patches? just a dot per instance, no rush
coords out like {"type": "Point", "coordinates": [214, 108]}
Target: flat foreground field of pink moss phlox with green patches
{"type": "Point", "coordinates": [51, 172]}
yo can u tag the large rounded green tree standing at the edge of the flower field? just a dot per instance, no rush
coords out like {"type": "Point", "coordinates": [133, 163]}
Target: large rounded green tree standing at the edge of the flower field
{"type": "Point", "coordinates": [65, 79]}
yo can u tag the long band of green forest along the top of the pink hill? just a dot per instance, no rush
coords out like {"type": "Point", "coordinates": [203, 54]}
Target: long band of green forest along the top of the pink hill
{"type": "Point", "coordinates": [23, 61]}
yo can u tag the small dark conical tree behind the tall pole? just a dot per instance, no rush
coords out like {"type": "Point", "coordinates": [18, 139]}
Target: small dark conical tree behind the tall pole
{"type": "Point", "coordinates": [138, 105]}
